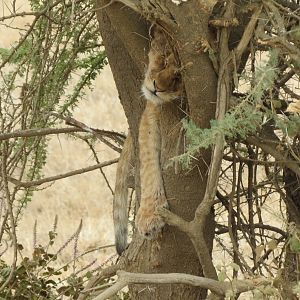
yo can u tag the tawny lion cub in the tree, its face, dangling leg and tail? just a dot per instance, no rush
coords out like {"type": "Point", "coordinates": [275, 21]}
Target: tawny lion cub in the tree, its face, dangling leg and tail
{"type": "Point", "coordinates": [162, 84]}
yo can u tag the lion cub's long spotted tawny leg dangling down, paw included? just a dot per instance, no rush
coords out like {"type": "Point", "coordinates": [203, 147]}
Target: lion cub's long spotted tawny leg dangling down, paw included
{"type": "Point", "coordinates": [149, 223]}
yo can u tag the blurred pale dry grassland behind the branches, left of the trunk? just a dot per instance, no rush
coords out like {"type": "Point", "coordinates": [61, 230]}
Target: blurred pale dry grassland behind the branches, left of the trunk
{"type": "Point", "coordinates": [83, 197]}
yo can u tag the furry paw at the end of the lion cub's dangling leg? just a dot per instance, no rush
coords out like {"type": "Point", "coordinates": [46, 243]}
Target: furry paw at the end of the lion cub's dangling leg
{"type": "Point", "coordinates": [148, 222]}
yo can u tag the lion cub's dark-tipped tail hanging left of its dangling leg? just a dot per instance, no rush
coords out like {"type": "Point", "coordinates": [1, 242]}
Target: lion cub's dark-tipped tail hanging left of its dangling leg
{"type": "Point", "coordinates": [120, 213]}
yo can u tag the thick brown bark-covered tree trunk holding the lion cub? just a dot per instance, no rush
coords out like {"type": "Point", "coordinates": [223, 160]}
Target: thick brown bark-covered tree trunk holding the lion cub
{"type": "Point", "coordinates": [125, 36]}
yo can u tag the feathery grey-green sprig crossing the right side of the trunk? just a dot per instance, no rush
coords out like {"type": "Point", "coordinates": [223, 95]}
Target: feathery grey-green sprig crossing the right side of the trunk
{"type": "Point", "coordinates": [244, 119]}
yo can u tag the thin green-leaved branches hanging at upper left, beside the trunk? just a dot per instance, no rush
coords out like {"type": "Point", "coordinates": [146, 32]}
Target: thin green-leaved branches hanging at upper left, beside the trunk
{"type": "Point", "coordinates": [44, 74]}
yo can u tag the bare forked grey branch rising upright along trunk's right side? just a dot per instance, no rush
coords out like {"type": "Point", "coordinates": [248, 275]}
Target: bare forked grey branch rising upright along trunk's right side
{"type": "Point", "coordinates": [196, 228]}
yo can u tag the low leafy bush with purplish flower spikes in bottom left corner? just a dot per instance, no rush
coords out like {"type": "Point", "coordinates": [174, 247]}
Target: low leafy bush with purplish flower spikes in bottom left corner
{"type": "Point", "coordinates": [40, 277]}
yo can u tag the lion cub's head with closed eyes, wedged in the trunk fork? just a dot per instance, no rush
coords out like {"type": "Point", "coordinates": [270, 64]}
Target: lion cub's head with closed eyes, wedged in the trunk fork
{"type": "Point", "coordinates": [162, 79]}
